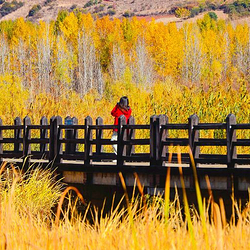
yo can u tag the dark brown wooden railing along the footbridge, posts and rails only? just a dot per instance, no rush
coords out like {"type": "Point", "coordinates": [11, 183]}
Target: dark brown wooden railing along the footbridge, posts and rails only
{"type": "Point", "coordinates": [60, 142]}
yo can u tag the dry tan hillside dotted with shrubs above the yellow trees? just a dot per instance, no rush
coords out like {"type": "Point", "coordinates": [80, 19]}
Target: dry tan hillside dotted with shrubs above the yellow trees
{"type": "Point", "coordinates": [47, 10]}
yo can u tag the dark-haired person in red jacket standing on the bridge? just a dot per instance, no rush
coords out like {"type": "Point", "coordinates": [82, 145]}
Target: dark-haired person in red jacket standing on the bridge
{"type": "Point", "coordinates": [121, 108]}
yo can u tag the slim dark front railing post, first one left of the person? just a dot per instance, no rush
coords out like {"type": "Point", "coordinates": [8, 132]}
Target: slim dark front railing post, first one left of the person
{"type": "Point", "coordinates": [88, 135]}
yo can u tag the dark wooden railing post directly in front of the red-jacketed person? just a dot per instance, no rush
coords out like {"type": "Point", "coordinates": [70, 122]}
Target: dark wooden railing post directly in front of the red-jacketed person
{"type": "Point", "coordinates": [122, 136]}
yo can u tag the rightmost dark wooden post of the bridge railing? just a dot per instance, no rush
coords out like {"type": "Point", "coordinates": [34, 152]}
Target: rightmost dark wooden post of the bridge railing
{"type": "Point", "coordinates": [231, 137]}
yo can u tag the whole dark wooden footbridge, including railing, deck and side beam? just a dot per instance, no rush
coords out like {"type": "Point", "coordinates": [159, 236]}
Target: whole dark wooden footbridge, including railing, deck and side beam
{"type": "Point", "coordinates": [59, 143]}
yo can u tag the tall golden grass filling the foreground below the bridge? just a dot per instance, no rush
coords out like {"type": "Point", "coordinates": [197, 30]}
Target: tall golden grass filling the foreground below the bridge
{"type": "Point", "coordinates": [144, 223]}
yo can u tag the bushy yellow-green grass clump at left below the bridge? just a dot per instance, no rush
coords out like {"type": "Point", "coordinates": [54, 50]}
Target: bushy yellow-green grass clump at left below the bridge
{"type": "Point", "coordinates": [36, 191]}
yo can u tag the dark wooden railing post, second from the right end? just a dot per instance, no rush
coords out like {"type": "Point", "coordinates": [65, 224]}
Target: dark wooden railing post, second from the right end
{"type": "Point", "coordinates": [193, 135]}
